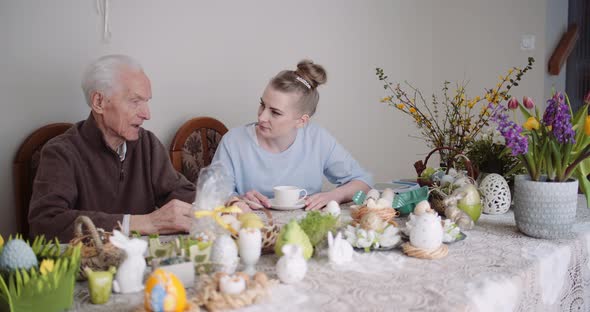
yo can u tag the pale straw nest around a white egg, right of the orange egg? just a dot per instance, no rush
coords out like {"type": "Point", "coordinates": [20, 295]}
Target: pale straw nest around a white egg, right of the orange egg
{"type": "Point", "coordinates": [209, 295]}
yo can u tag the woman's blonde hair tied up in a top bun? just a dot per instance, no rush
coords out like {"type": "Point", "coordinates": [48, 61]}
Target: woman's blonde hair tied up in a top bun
{"type": "Point", "coordinates": [304, 80]}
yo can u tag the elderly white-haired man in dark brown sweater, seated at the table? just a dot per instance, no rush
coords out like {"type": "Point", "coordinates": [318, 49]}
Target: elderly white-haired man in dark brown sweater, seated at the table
{"type": "Point", "coordinates": [107, 167]}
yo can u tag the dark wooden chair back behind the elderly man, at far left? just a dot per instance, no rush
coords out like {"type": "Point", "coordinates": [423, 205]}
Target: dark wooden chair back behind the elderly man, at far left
{"type": "Point", "coordinates": [24, 169]}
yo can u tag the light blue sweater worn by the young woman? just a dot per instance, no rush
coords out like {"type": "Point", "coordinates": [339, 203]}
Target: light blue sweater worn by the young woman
{"type": "Point", "coordinates": [314, 153]}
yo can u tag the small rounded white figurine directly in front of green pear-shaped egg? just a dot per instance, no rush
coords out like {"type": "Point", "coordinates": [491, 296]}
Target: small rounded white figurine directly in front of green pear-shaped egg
{"type": "Point", "coordinates": [291, 268]}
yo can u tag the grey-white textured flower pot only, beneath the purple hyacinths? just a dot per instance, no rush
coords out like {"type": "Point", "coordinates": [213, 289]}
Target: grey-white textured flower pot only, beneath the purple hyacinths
{"type": "Point", "coordinates": [545, 209]}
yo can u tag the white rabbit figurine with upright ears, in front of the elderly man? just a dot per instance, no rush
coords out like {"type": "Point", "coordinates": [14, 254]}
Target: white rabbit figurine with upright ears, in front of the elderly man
{"type": "Point", "coordinates": [129, 278]}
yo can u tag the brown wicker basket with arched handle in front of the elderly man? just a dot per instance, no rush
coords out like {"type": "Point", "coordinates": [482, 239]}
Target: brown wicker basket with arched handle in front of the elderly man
{"type": "Point", "coordinates": [97, 251]}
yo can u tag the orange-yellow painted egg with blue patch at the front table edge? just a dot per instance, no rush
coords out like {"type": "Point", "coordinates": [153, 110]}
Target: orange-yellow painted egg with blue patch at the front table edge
{"type": "Point", "coordinates": [164, 292]}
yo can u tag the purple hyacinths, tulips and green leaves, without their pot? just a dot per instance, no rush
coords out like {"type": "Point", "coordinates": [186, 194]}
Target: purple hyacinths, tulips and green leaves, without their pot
{"type": "Point", "coordinates": [556, 144]}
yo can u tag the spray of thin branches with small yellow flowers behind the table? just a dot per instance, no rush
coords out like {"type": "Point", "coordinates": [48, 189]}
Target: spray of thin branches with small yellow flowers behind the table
{"type": "Point", "coordinates": [453, 119]}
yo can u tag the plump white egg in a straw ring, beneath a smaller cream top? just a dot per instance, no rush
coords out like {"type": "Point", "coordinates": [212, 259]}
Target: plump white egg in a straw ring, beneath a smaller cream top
{"type": "Point", "coordinates": [426, 231]}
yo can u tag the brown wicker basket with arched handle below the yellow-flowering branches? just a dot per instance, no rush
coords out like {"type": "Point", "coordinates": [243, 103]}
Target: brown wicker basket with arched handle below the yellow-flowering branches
{"type": "Point", "coordinates": [436, 198]}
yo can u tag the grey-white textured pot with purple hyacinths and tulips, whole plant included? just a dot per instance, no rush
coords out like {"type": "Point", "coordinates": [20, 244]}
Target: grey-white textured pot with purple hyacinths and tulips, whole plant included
{"type": "Point", "coordinates": [554, 148]}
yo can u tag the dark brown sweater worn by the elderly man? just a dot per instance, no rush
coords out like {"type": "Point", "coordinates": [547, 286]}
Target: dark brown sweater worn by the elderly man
{"type": "Point", "coordinates": [79, 174]}
